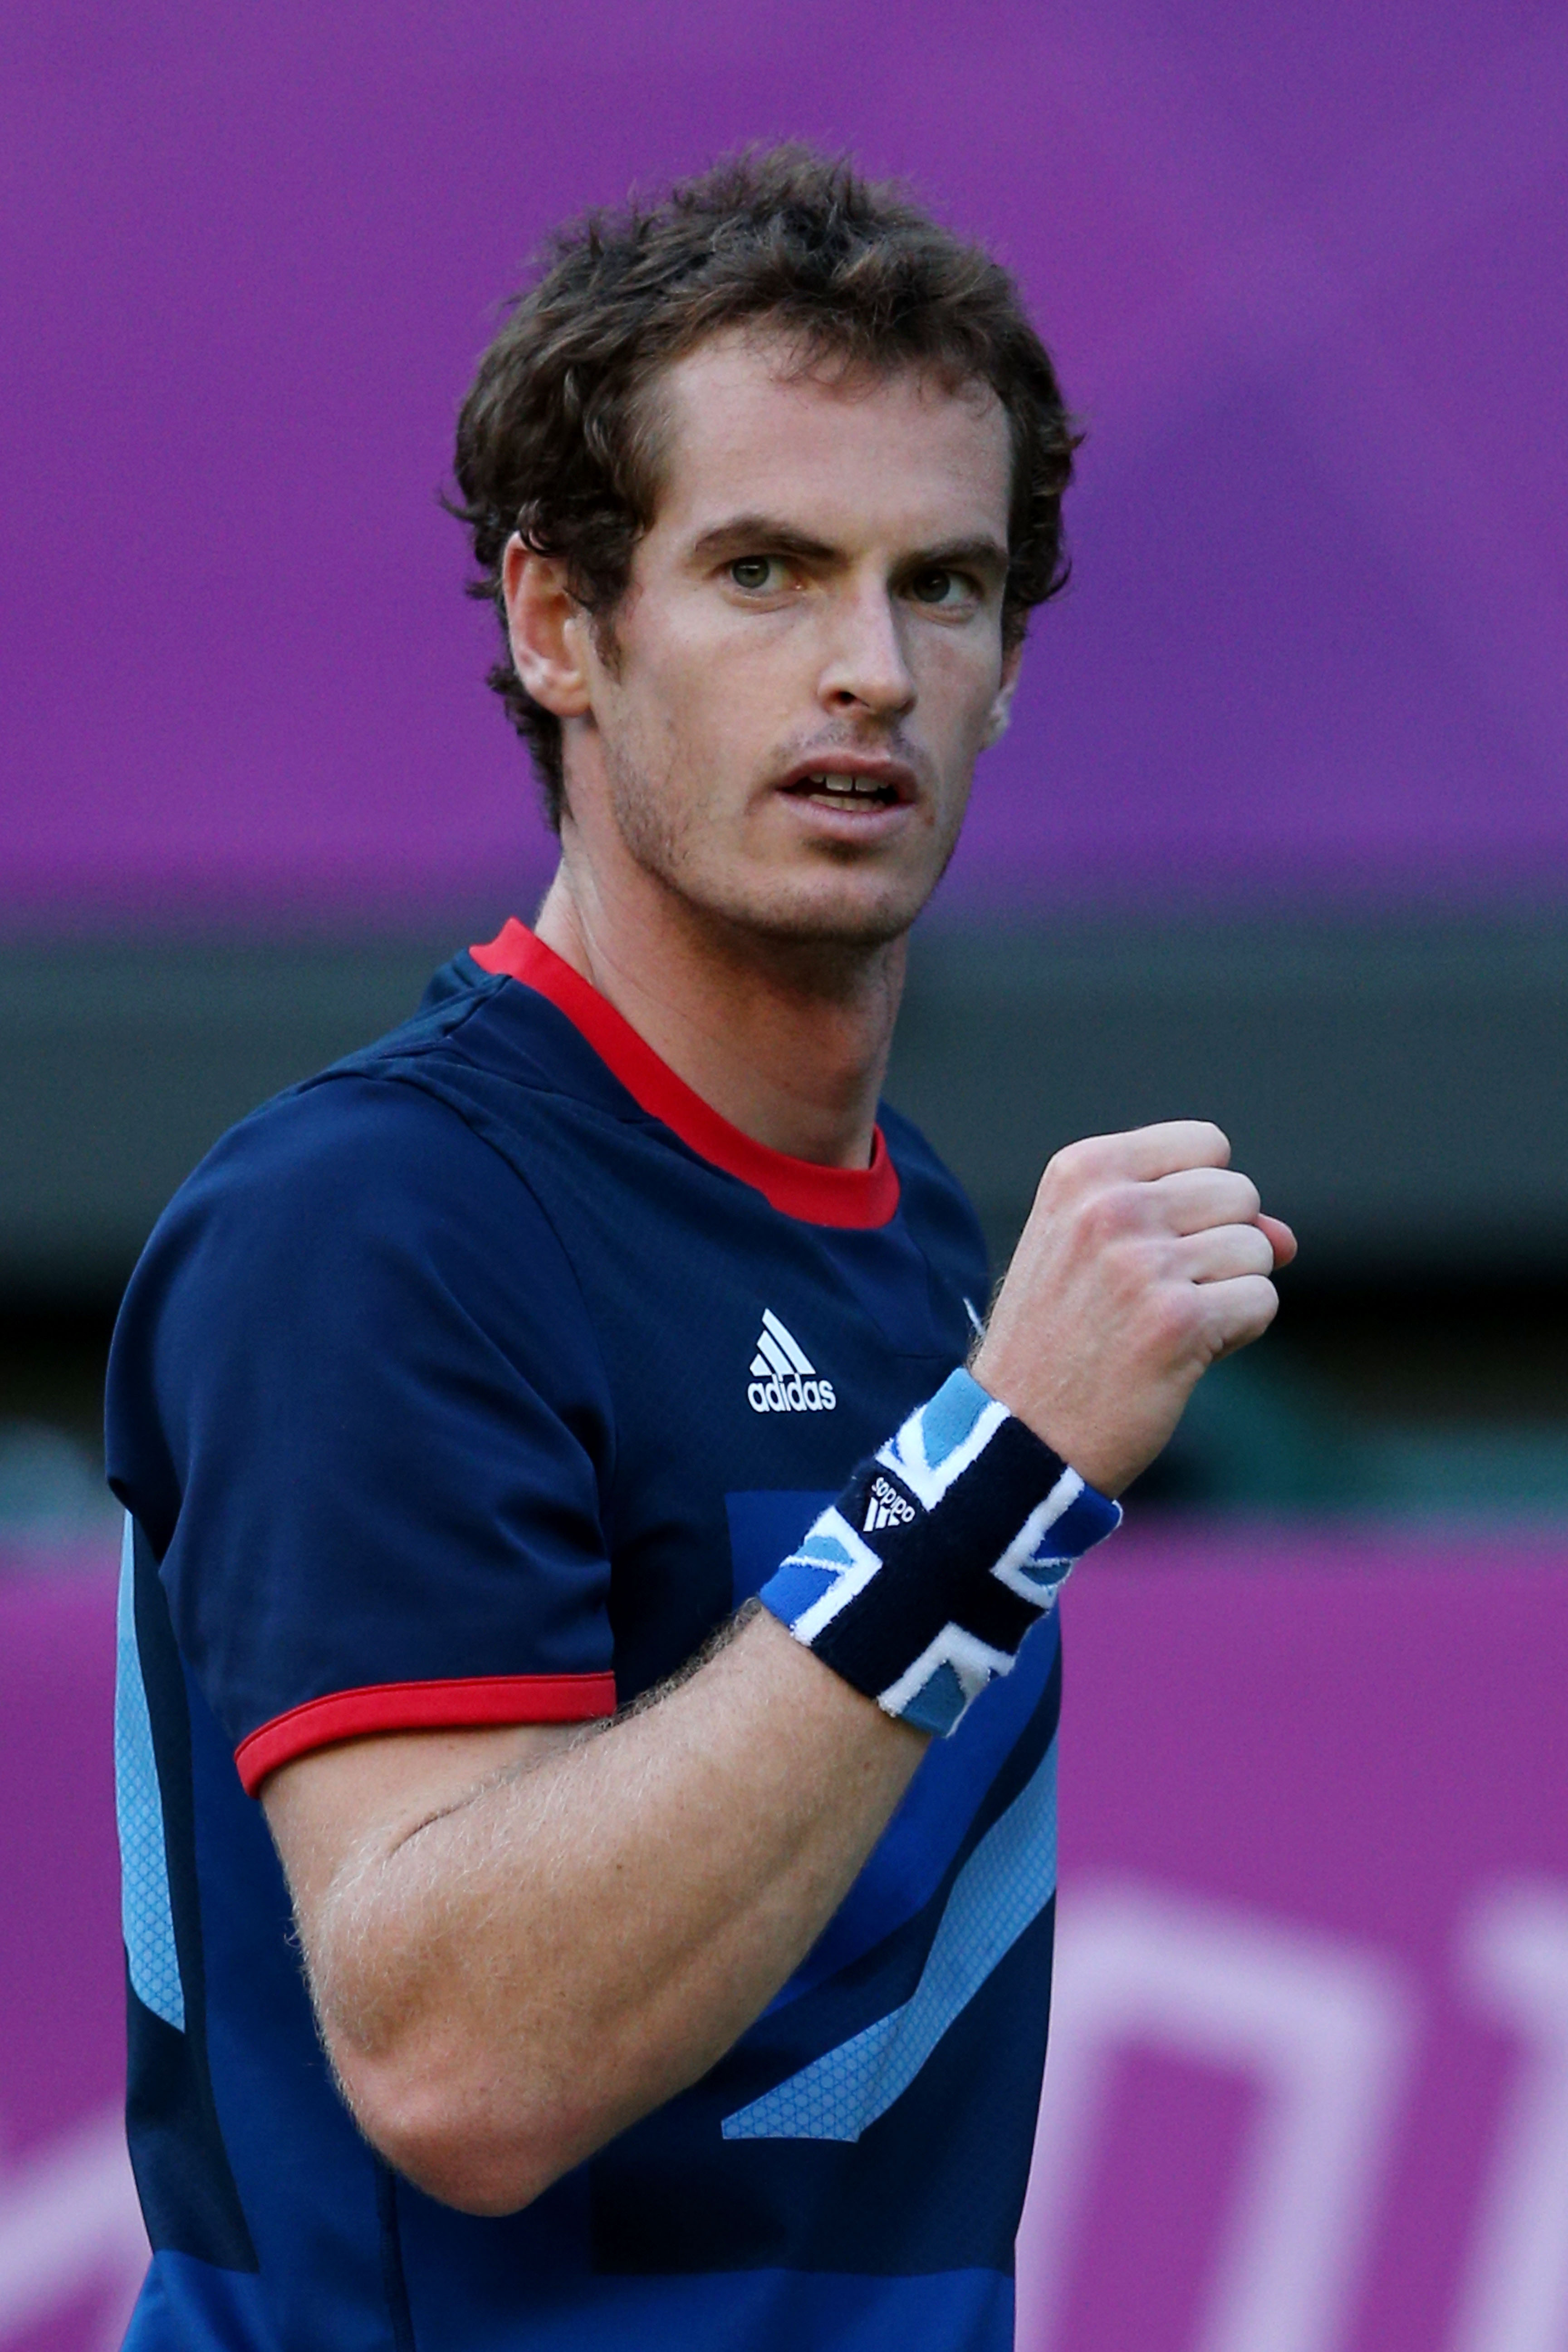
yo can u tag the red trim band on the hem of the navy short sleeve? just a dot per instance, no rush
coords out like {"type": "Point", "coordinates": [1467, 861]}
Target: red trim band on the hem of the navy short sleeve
{"type": "Point", "coordinates": [422, 1706]}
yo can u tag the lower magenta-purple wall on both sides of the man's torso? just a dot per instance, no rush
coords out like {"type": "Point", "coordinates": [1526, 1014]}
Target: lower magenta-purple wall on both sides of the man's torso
{"type": "Point", "coordinates": [1346, 1746]}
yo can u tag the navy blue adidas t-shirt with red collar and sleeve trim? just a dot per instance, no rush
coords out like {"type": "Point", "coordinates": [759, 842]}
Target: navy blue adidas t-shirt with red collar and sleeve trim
{"type": "Point", "coordinates": [476, 1382]}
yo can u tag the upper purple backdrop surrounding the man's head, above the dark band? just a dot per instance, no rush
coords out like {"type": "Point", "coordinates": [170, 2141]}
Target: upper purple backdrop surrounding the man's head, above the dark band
{"type": "Point", "coordinates": [1304, 272]}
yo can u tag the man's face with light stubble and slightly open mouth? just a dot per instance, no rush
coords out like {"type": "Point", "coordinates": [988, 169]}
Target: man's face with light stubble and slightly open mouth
{"type": "Point", "coordinates": [810, 650]}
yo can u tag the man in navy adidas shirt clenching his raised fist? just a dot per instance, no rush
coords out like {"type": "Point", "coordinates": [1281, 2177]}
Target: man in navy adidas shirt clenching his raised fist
{"type": "Point", "coordinates": [681, 1963]}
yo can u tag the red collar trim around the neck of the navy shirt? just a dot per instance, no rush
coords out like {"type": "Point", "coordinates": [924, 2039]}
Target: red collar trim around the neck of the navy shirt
{"type": "Point", "coordinates": [793, 1187]}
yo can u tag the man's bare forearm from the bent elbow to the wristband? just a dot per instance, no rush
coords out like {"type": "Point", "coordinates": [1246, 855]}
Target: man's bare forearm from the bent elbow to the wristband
{"type": "Point", "coordinates": [563, 1949]}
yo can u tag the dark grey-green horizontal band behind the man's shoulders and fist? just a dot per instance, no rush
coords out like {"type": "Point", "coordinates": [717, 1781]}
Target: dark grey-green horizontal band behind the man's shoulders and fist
{"type": "Point", "coordinates": [1395, 1085]}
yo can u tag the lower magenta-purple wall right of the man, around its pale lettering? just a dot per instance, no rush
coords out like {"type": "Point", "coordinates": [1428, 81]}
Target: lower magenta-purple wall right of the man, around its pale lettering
{"type": "Point", "coordinates": [1358, 1751]}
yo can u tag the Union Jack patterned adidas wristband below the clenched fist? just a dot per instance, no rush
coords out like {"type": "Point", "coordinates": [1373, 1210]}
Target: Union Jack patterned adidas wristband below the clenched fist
{"type": "Point", "coordinates": [937, 1561]}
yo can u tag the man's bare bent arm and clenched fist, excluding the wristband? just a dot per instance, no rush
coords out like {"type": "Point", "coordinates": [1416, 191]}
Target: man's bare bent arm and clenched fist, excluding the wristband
{"type": "Point", "coordinates": [521, 1942]}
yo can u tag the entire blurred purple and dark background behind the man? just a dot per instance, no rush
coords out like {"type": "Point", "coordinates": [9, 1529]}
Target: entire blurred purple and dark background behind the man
{"type": "Point", "coordinates": [1280, 836]}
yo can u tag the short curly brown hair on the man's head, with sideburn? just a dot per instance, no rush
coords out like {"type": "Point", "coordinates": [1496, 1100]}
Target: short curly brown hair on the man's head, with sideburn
{"type": "Point", "coordinates": [558, 441]}
